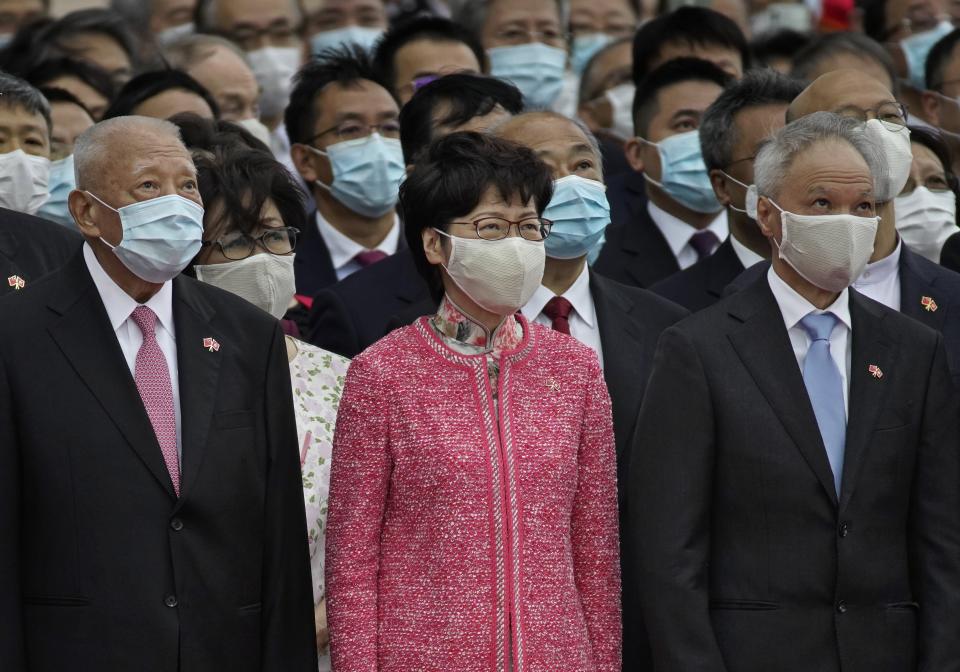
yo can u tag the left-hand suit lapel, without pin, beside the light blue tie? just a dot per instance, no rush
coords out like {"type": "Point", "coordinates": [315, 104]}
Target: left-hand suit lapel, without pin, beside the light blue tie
{"type": "Point", "coordinates": [764, 348]}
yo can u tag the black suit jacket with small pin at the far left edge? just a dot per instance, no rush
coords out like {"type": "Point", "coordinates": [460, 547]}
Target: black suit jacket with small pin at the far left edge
{"type": "Point", "coordinates": [30, 248]}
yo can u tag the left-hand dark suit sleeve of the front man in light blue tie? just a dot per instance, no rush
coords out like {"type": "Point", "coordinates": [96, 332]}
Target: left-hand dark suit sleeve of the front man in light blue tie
{"type": "Point", "coordinates": [670, 491]}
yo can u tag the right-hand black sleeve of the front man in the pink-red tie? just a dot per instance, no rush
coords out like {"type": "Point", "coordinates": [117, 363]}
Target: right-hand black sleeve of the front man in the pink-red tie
{"type": "Point", "coordinates": [288, 631]}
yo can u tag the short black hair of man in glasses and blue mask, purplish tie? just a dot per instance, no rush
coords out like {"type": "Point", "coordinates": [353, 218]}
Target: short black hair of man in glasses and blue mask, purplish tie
{"type": "Point", "coordinates": [347, 66]}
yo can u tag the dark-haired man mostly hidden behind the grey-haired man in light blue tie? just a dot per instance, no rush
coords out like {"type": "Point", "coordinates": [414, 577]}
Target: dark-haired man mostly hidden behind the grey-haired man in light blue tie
{"type": "Point", "coordinates": [730, 133]}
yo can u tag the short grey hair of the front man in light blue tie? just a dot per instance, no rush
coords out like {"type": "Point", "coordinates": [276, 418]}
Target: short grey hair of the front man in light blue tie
{"type": "Point", "coordinates": [778, 152]}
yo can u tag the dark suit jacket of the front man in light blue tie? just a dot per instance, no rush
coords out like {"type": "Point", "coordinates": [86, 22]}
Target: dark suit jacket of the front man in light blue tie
{"type": "Point", "coordinates": [747, 560]}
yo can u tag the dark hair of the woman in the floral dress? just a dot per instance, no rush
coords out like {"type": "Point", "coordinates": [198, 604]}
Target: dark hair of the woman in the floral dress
{"type": "Point", "coordinates": [234, 185]}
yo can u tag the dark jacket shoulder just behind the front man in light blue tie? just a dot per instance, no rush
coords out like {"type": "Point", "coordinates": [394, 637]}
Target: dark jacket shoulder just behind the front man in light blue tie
{"type": "Point", "coordinates": [702, 284]}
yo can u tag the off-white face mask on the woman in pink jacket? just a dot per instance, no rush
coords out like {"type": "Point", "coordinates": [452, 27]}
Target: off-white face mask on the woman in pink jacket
{"type": "Point", "coordinates": [498, 275]}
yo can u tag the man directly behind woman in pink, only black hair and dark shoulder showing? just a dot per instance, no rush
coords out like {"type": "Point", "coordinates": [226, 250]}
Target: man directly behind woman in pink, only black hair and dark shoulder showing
{"type": "Point", "coordinates": [351, 315]}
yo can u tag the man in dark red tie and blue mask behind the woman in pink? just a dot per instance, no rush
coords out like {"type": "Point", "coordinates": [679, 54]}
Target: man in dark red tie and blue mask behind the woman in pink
{"type": "Point", "coordinates": [621, 323]}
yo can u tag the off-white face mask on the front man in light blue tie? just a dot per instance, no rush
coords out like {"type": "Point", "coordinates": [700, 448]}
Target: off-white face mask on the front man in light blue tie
{"type": "Point", "coordinates": [829, 251]}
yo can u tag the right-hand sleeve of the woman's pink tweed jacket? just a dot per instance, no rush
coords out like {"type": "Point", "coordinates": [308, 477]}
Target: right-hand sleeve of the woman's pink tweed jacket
{"type": "Point", "coordinates": [594, 527]}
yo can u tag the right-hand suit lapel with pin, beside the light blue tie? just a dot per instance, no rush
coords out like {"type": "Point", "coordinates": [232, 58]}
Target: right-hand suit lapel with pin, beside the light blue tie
{"type": "Point", "coordinates": [871, 348]}
